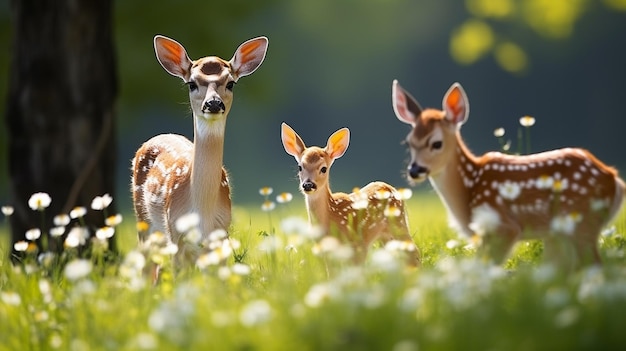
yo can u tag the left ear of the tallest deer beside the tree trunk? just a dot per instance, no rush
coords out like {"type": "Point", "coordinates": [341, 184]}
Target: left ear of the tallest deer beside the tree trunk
{"type": "Point", "coordinates": [172, 56]}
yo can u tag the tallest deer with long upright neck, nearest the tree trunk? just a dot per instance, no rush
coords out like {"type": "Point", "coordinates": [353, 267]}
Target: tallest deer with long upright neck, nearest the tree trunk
{"type": "Point", "coordinates": [173, 176]}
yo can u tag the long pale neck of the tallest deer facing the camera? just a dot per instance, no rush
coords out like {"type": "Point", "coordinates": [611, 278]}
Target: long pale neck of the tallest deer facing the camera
{"type": "Point", "coordinates": [206, 170]}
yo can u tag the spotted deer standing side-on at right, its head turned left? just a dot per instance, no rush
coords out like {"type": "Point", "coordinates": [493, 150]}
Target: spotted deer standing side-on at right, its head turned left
{"type": "Point", "coordinates": [564, 197]}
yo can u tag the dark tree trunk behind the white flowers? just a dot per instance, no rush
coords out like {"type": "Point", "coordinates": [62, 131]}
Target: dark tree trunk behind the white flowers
{"type": "Point", "coordinates": [60, 110]}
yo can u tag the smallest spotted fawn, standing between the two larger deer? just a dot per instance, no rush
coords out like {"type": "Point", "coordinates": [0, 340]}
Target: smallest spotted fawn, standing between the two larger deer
{"type": "Point", "coordinates": [374, 212]}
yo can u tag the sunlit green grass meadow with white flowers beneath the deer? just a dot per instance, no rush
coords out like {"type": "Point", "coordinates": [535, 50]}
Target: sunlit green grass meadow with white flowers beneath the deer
{"type": "Point", "coordinates": [292, 299]}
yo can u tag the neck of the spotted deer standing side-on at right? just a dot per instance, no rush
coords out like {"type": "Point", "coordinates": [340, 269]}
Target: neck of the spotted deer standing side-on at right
{"type": "Point", "coordinates": [451, 186]}
